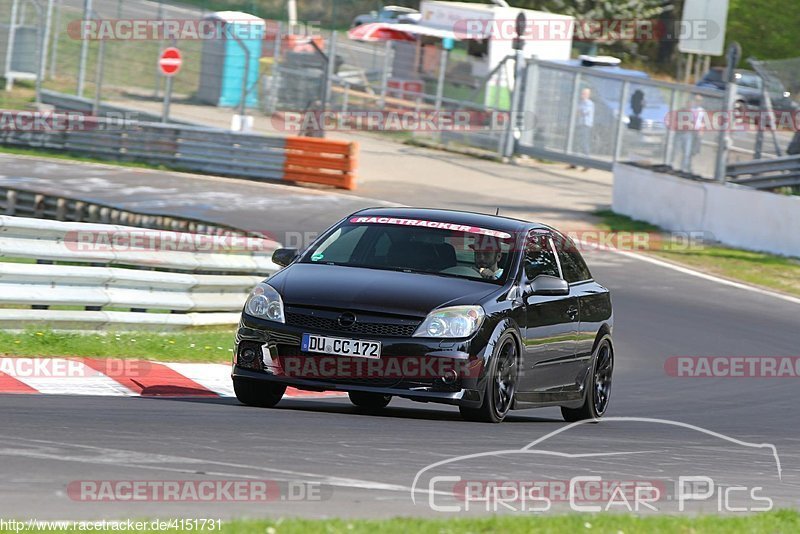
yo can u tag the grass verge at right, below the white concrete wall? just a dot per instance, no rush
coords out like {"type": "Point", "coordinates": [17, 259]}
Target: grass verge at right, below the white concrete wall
{"type": "Point", "coordinates": [758, 268]}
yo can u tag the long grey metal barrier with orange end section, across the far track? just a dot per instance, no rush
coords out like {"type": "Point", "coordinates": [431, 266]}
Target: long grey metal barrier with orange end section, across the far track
{"type": "Point", "coordinates": [204, 150]}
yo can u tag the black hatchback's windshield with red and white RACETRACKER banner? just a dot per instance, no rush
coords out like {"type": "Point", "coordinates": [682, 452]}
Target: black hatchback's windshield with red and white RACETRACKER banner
{"type": "Point", "coordinates": [430, 247]}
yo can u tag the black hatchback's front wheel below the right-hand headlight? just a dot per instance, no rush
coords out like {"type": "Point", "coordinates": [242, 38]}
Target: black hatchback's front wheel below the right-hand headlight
{"type": "Point", "coordinates": [501, 384]}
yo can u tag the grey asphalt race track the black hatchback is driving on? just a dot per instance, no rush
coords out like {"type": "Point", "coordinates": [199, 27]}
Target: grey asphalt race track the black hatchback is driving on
{"type": "Point", "coordinates": [366, 463]}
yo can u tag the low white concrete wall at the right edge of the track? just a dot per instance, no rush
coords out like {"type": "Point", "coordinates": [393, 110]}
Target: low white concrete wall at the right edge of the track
{"type": "Point", "coordinates": [732, 214]}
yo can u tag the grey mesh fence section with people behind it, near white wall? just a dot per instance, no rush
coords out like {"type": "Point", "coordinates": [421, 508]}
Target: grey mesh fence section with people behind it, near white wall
{"type": "Point", "coordinates": [594, 117]}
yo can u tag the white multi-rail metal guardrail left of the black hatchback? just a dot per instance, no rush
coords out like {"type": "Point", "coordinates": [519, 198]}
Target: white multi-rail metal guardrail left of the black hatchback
{"type": "Point", "coordinates": [97, 275]}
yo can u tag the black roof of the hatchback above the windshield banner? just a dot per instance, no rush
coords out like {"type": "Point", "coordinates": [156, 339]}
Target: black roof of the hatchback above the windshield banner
{"type": "Point", "coordinates": [492, 222]}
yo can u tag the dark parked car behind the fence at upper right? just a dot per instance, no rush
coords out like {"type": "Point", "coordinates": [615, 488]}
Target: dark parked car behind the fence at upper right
{"type": "Point", "coordinates": [749, 89]}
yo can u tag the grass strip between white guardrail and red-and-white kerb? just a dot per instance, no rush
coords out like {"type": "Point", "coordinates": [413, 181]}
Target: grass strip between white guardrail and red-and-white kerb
{"type": "Point", "coordinates": [207, 345]}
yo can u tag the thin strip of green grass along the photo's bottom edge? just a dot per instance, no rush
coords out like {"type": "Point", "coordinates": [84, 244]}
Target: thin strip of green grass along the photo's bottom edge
{"type": "Point", "coordinates": [779, 522]}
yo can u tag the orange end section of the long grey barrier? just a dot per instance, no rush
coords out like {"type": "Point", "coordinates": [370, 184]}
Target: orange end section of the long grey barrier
{"type": "Point", "coordinates": [321, 161]}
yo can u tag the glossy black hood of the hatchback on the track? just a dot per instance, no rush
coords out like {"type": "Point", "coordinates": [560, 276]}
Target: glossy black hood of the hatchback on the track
{"type": "Point", "coordinates": [375, 290]}
